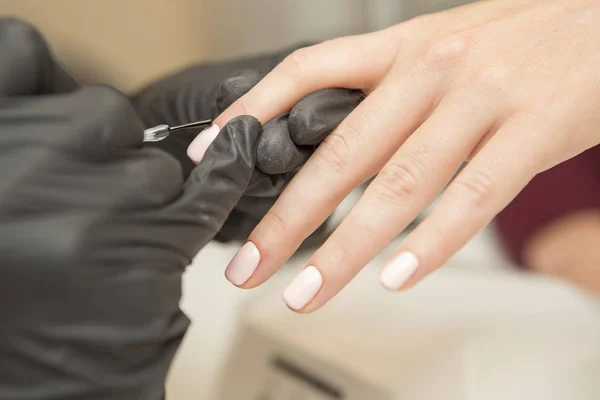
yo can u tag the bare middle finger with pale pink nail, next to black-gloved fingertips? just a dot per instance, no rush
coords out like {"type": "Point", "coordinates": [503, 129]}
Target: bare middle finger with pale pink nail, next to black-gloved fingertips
{"type": "Point", "coordinates": [354, 152]}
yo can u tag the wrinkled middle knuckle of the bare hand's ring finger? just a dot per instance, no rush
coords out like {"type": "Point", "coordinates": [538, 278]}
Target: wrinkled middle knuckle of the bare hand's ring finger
{"type": "Point", "coordinates": [397, 182]}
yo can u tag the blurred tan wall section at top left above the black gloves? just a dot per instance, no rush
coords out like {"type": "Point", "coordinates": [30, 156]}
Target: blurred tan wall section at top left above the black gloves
{"type": "Point", "coordinates": [122, 42]}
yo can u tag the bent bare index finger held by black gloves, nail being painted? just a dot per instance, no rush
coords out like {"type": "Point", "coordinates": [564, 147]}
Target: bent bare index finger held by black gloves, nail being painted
{"type": "Point", "coordinates": [358, 62]}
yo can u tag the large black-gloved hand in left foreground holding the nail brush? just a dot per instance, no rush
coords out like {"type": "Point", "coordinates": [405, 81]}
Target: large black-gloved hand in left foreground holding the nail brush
{"type": "Point", "coordinates": [95, 233]}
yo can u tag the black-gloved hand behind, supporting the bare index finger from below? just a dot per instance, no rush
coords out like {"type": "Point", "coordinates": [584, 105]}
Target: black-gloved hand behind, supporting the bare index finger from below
{"type": "Point", "coordinates": [204, 91]}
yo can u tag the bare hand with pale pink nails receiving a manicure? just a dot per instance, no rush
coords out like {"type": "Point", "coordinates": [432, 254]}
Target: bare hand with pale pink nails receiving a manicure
{"type": "Point", "coordinates": [511, 86]}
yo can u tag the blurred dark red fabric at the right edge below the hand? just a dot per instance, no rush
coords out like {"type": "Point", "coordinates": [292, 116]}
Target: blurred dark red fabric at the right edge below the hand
{"type": "Point", "coordinates": [568, 187]}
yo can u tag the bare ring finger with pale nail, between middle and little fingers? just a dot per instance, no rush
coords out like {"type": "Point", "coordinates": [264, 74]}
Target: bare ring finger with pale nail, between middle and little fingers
{"type": "Point", "coordinates": [408, 183]}
